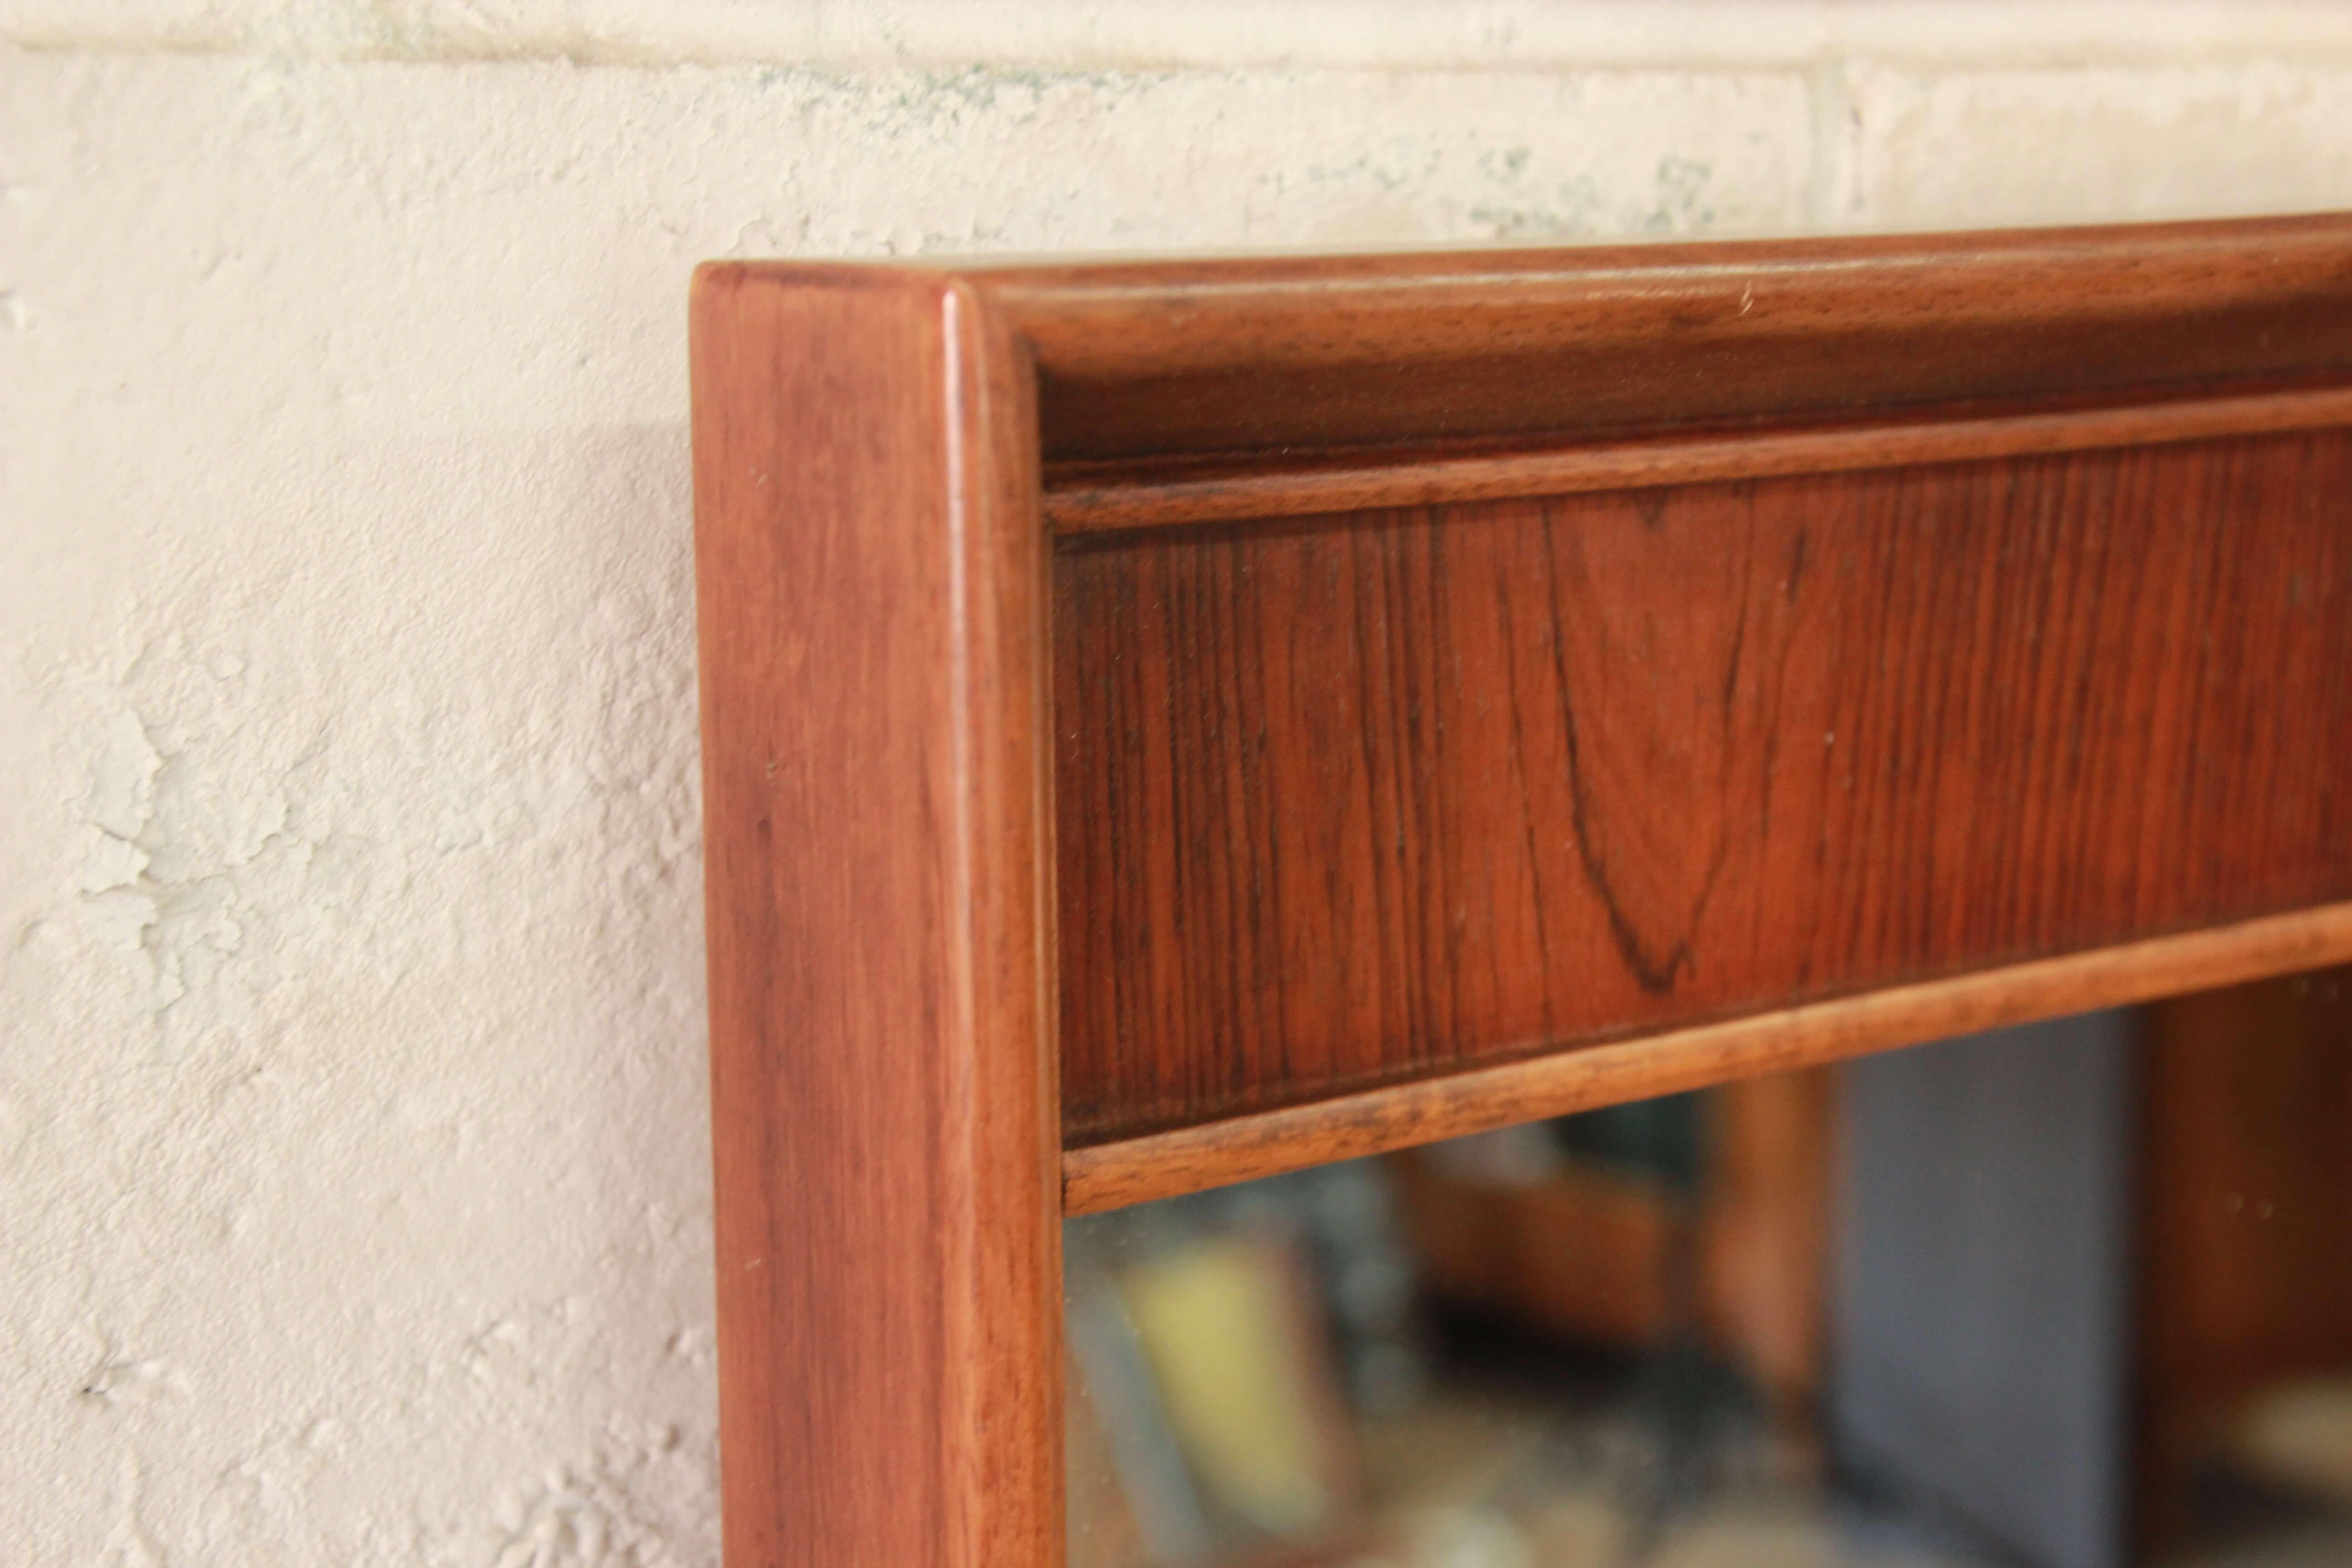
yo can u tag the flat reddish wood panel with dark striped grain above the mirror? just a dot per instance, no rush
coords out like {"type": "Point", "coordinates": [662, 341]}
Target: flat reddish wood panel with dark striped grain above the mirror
{"type": "Point", "coordinates": [1368, 798]}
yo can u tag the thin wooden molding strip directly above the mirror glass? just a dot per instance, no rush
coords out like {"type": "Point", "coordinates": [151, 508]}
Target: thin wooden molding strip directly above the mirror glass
{"type": "Point", "coordinates": [1379, 1120]}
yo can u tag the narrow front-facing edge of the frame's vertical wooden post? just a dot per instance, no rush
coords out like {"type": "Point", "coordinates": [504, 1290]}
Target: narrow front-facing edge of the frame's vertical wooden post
{"type": "Point", "coordinates": [1008, 1503]}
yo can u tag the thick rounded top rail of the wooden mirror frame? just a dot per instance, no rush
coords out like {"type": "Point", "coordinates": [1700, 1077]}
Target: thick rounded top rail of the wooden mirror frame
{"type": "Point", "coordinates": [1290, 354]}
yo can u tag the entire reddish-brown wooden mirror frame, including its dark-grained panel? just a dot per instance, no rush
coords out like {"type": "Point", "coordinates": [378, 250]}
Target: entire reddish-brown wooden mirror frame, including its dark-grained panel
{"type": "Point", "coordinates": [1170, 723]}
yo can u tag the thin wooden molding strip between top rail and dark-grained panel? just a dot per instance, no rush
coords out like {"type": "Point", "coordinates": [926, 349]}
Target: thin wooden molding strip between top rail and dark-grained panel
{"type": "Point", "coordinates": [1090, 502]}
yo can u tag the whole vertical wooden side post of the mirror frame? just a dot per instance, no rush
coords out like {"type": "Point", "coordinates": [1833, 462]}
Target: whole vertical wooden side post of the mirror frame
{"type": "Point", "coordinates": [881, 944]}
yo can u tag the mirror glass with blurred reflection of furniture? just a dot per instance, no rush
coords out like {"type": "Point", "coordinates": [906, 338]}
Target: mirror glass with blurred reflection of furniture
{"type": "Point", "coordinates": [2071, 1296]}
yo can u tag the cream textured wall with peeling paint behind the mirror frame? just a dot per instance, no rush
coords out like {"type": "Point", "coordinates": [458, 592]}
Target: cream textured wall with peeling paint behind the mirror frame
{"type": "Point", "coordinates": [352, 1108]}
